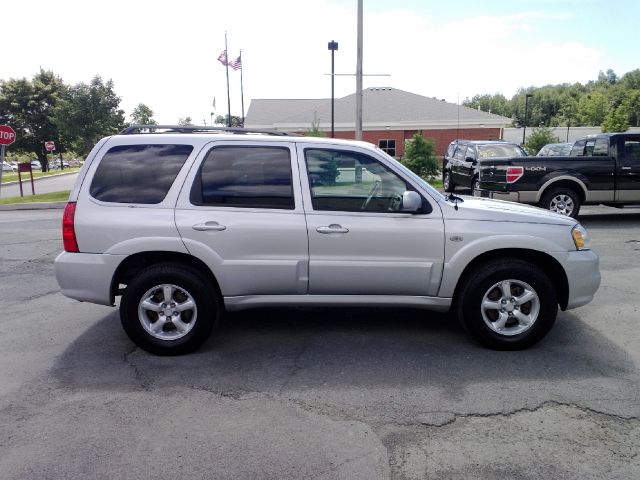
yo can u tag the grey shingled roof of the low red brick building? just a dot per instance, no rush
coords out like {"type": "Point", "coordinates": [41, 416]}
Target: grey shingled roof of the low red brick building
{"type": "Point", "coordinates": [383, 108]}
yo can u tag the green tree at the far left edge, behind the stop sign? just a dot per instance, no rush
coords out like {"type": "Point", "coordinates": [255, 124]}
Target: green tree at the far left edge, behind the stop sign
{"type": "Point", "coordinates": [29, 107]}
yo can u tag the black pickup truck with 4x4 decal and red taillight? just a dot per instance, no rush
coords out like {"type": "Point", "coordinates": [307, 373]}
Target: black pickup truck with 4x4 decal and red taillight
{"type": "Point", "coordinates": [602, 169]}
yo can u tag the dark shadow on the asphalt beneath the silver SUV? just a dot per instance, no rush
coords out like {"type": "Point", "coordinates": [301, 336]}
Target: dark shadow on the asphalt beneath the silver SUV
{"type": "Point", "coordinates": [271, 350]}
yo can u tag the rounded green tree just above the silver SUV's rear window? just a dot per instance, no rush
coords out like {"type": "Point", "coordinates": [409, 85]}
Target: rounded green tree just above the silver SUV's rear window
{"type": "Point", "coordinates": [89, 112]}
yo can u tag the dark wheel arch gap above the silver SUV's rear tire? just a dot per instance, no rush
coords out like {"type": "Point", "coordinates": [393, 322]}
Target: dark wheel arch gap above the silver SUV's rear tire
{"type": "Point", "coordinates": [136, 262]}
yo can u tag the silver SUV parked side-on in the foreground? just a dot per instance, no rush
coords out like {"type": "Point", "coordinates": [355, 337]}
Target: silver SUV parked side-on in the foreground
{"type": "Point", "coordinates": [192, 222]}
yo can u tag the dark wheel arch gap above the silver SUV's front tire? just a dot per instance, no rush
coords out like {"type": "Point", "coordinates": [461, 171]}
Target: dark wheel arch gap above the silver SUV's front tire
{"type": "Point", "coordinates": [549, 265]}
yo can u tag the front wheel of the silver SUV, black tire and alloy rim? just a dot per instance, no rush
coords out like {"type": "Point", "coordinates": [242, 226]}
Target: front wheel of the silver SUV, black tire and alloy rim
{"type": "Point", "coordinates": [483, 287]}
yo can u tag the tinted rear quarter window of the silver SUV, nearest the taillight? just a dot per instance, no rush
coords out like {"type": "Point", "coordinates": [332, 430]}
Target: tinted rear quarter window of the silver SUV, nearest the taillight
{"type": "Point", "coordinates": [138, 173]}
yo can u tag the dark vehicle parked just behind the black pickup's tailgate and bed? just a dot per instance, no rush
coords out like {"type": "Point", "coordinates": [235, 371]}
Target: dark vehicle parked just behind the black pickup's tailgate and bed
{"type": "Point", "coordinates": [461, 164]}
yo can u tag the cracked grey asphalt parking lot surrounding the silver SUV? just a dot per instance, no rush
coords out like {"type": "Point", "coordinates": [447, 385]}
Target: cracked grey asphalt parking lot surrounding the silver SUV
{"type": "Point", "coordinates": [310, 393]}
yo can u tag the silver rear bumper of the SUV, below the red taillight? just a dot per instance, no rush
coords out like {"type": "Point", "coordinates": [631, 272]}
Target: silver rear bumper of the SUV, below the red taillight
{"type": "Point", "coordinates": [87, 276]}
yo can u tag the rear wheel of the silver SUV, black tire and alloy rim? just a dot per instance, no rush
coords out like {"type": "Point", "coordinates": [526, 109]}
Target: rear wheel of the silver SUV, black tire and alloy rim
{"type": "Point", "coordinates": [188, 289]}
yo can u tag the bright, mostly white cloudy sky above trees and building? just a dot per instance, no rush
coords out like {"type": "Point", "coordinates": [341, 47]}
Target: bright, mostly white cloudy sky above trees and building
{"type": "Point", "coordinates": [163, 53]}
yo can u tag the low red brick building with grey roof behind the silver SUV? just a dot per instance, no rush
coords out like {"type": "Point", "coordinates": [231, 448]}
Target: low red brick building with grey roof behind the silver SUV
{"type": "Point", "coordinates": [390, 117]}
